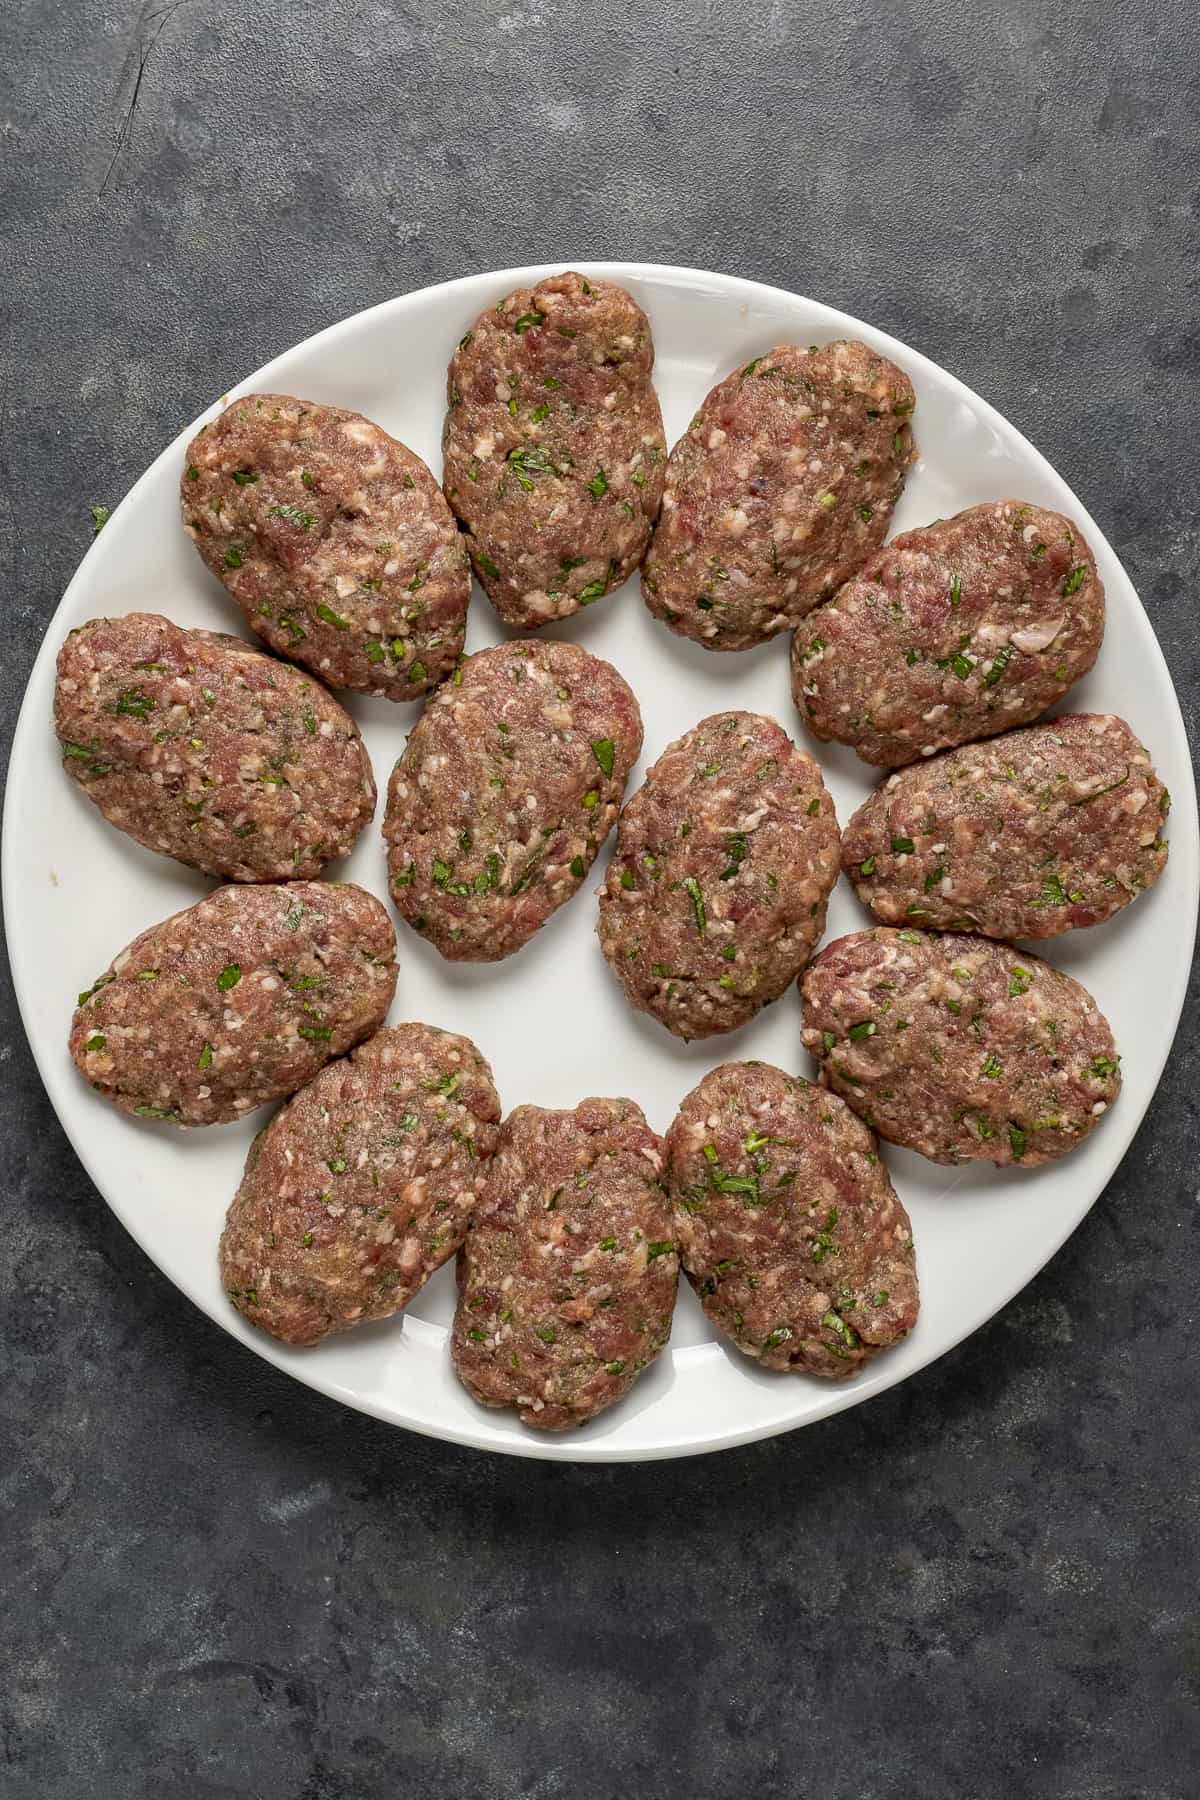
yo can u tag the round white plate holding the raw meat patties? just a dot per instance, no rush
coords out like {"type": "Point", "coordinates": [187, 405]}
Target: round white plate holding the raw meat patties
{"type": "Point", "coordinates": [551, 1020]}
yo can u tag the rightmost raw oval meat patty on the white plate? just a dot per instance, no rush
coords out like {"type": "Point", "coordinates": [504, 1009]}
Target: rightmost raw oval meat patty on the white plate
{"type": "Point", "coordinates": [1023, 836]}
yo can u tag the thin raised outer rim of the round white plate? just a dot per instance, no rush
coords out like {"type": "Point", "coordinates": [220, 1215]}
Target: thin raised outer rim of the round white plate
{"type": "Point", "coordinates": [1185, 849]}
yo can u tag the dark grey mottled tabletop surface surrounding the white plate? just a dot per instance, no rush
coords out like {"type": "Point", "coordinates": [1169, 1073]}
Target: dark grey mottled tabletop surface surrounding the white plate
{"type": "Point", "coordinates": [220, 1585]}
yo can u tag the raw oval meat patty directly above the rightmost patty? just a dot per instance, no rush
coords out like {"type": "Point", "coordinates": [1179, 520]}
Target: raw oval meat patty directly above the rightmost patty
{"type": "Point", "coordinates": [954, 633]}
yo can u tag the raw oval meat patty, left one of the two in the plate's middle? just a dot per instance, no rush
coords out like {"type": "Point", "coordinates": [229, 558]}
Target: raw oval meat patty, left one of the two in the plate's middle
{"type": "Point", "coordinates": [508, 787]}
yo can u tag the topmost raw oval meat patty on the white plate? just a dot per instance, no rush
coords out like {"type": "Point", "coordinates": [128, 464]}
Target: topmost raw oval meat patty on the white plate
{"type": "Point", "coordinates": [553, 445]}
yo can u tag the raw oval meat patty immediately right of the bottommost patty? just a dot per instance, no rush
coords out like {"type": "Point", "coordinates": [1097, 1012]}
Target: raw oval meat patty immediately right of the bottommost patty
{"type": "Point", "coordinates": [787, 1223]}
